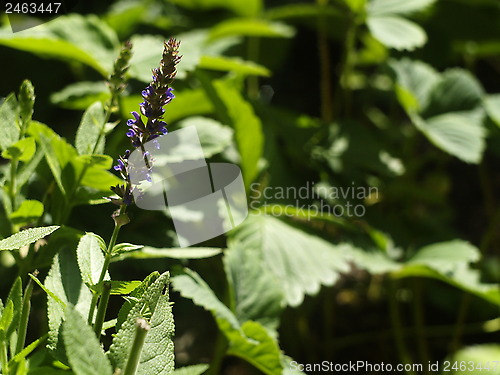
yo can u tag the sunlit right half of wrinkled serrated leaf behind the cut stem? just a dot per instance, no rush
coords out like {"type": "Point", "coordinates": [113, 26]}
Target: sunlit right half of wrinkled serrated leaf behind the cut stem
{"type": "Point", "coordinates": [157, 356]}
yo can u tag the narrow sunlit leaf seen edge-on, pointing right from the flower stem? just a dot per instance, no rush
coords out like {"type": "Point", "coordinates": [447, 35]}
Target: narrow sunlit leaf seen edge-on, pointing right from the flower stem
{"type": "Point", "coordinates": [148, 252]}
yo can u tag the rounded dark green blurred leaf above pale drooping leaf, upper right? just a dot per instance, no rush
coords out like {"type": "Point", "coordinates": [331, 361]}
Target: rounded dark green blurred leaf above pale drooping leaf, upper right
{"type": "Point", "coordinates": [456, 91]}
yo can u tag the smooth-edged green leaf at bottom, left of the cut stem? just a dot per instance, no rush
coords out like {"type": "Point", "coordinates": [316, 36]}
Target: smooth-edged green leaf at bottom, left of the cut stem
{"type": "Point", "coordinates": [84, 351]}
